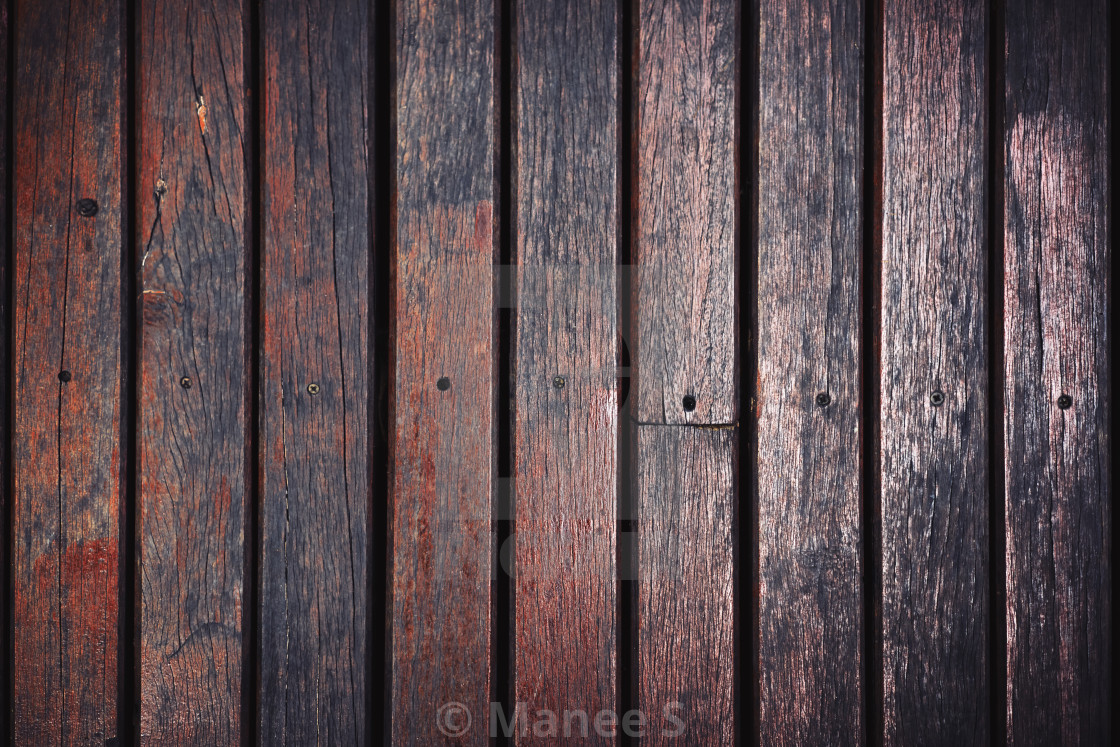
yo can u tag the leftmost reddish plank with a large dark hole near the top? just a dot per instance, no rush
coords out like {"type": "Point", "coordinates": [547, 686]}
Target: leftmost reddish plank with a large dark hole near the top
{"type": "Point", "coordinates": [68, 371]}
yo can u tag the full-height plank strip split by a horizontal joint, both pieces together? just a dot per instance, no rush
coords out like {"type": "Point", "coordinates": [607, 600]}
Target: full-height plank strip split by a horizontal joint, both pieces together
{"type": "Point", "coordinates": [685, 306]}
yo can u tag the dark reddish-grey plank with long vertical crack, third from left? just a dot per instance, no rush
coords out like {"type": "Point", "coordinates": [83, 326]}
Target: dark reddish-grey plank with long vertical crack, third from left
{"type": "Point", "coordinates": [315, 457]}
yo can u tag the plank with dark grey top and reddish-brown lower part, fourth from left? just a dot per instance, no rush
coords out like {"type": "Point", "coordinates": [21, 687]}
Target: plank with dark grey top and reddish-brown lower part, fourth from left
{"type": "Point", "coordinates": [445, 371]}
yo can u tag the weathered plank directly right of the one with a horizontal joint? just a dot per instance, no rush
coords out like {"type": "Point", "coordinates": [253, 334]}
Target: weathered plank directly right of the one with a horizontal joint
{"type": "Point", "coordinates": [810, 245]}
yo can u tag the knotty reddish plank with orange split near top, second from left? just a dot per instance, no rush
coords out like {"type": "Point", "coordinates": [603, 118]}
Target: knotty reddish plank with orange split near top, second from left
{"type": "Point", "coordinates": [192, 237]}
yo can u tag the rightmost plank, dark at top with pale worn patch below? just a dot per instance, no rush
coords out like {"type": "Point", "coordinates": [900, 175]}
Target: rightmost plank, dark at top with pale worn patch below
{"type": "Point", "coordinates": [1057, 469]}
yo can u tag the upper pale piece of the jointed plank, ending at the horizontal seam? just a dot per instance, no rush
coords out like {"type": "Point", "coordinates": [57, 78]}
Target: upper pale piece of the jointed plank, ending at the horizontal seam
{"type": "Point", "coordinates": [687, 198]}
